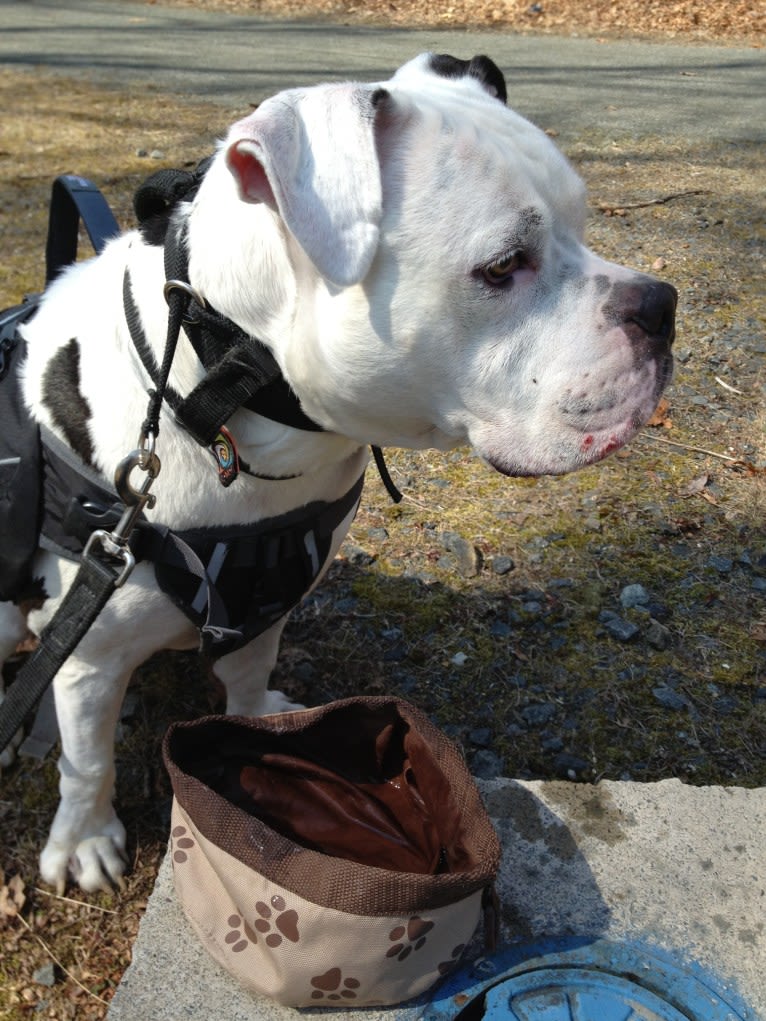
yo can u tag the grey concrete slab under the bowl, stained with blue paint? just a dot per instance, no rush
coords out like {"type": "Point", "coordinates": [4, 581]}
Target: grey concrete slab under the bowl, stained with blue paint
{"type": "Point", "coordinates": [672, 866]}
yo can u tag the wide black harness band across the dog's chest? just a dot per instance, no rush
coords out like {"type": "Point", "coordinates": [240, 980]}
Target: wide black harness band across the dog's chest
{"type": "Point", "coordinates": [233, 582]}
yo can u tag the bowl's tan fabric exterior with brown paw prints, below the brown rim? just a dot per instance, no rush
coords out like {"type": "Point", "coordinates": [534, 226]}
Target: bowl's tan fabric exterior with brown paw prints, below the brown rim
{"type": "Point", "coordinates": [303, 954]}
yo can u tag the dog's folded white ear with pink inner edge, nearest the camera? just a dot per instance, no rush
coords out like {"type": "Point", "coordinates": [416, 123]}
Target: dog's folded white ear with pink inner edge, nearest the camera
{"type": "Point", "coordinates": [311, 155]}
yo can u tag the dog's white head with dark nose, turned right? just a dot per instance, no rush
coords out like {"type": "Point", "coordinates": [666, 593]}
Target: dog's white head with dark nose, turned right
{"type": "Point", "coordinates": [433, 286]}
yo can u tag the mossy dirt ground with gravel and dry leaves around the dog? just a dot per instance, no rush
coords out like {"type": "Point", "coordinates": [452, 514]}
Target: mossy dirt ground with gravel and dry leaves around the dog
{"type": "Point", "coordinates": [499, 607]}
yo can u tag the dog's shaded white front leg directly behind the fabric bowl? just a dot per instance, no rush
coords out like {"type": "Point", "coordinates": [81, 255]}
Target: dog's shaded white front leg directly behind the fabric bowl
{"type": "Point", "coordinates": [246, 674]}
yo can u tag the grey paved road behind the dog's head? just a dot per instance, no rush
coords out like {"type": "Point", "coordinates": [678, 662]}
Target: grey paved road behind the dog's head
{"type": "Point", "coordinates": [570, 85]}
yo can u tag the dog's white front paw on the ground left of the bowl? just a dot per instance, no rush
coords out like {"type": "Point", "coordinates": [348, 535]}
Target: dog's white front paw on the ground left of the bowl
{"type": "Point", "coordinates": [97, 863]}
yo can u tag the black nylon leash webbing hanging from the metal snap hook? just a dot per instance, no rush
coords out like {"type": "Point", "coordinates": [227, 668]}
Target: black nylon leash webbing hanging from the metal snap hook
{"type": "Point", "coordinates": [80, 608]}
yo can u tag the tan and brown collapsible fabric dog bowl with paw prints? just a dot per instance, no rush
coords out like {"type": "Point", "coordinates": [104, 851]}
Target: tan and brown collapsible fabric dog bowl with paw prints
{"type": "Point", "coordinates": [329, 857]}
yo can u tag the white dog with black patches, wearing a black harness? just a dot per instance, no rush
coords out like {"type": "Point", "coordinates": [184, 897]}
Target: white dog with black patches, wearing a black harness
{"type": "Point", "coordinates": [411, 254]}
